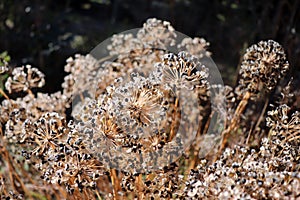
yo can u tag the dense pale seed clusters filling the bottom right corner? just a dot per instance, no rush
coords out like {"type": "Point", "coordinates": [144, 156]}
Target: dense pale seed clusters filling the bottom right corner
{"type": "Point", "coordinates": [246, 173]}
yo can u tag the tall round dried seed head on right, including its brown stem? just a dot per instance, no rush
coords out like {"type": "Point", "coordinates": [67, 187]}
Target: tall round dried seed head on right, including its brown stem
{"type": "Point", "coordinates": [264, 64]}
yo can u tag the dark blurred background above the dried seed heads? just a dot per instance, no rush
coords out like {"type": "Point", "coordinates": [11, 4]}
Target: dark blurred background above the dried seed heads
{"type": "Point", "coordinates": [45, 33]}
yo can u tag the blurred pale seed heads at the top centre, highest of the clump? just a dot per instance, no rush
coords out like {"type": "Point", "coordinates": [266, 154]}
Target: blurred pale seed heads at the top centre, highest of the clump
{"type": "Point", "coordinates": [143, 50]}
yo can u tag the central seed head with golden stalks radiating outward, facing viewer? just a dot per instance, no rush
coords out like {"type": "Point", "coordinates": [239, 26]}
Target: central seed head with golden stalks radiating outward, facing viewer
{"type": "Point", "coordinates": [138, 102]}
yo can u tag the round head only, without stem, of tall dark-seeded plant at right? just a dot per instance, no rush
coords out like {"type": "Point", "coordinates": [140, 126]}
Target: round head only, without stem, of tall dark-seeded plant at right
{"type": "Point", "coordinates": [262, 67]}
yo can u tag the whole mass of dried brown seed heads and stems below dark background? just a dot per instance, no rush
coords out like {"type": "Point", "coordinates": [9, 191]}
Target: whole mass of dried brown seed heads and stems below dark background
{"type": "Point", "coordinates": [140, 125]}
